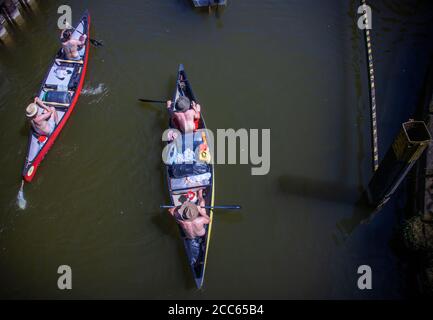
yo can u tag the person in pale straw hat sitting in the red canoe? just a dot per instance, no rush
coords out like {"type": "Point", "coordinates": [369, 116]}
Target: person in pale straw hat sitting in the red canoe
{"type": "Point", "coordinates": [43, 123]}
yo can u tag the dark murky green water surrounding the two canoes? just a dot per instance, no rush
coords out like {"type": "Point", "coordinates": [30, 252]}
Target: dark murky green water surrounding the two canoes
{"type": "Point", "coordinates": [297, 67]}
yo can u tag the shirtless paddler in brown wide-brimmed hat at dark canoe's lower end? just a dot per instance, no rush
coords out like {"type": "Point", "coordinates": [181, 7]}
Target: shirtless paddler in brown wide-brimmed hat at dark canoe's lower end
{"type": "Point", "coordinates": [193, 219]}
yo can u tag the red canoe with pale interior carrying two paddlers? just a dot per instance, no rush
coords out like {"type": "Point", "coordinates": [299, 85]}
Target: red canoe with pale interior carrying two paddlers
{"type": "Point", "coordinates": [63, 77]}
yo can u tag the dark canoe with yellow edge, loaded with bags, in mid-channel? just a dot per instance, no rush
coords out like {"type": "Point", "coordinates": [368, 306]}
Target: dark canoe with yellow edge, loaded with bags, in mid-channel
{"type": "Point", "coordinates": [178, 188]}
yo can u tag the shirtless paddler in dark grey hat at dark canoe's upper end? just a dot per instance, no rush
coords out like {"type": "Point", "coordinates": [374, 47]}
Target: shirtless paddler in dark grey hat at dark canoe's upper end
{"type": "Point", "coordinates": [185, 114]}
